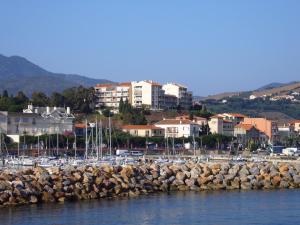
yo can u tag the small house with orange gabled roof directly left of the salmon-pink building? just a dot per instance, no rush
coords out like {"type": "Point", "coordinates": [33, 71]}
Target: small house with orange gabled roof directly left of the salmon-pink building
{"type": "Point", "coordinates": [246, 133]}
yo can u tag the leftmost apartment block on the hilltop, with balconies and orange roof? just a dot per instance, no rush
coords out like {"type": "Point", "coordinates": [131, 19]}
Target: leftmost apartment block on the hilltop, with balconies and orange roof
{"type": "Point", "coordinates": [110, 95]}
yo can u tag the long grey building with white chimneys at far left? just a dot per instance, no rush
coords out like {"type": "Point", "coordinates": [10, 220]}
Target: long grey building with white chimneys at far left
{"type": "Point", "coordinates": [36, 121]}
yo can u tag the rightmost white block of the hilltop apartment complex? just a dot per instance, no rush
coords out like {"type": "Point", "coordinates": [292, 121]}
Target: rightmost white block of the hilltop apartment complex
{"type": "Point", "coordinates": [184, 97]}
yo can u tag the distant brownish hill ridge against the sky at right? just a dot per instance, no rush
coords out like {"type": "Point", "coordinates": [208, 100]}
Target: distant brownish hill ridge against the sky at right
{"type": "Point", "coordinates": [269, 89]}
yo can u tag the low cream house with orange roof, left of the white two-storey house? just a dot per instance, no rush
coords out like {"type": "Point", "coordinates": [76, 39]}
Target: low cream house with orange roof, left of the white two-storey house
{"type": "Point", "coordinates": [144, 130]}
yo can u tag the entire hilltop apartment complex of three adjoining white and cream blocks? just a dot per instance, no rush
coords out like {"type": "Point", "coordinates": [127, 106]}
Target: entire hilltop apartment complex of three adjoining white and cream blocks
{"type": "Point", "coordinates": [147, 93]}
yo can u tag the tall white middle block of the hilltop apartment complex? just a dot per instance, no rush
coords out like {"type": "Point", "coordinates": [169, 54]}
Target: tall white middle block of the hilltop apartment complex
{"type": "Point", "coordinates": [147, 93]}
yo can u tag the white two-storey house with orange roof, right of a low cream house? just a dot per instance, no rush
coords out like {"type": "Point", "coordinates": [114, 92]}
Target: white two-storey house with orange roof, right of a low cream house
{"type": "Point", "coordinates": [179, 128]}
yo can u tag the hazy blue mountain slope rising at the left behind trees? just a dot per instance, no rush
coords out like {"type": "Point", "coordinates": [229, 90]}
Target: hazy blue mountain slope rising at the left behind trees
{"type": "Point", "coordinates": [19, 74]}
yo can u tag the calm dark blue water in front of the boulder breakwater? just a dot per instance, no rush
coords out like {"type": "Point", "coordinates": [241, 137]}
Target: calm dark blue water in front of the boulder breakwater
{"type": "Point", "coordinates": [252, 207]}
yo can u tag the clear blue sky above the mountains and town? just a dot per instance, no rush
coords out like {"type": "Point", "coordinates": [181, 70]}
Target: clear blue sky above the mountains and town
{"type": "Point", "coordinates": [211, 46]}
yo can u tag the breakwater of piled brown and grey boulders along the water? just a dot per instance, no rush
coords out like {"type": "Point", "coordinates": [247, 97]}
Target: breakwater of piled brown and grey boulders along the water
{"type": "Point", "coordinates": [38, 185]}
